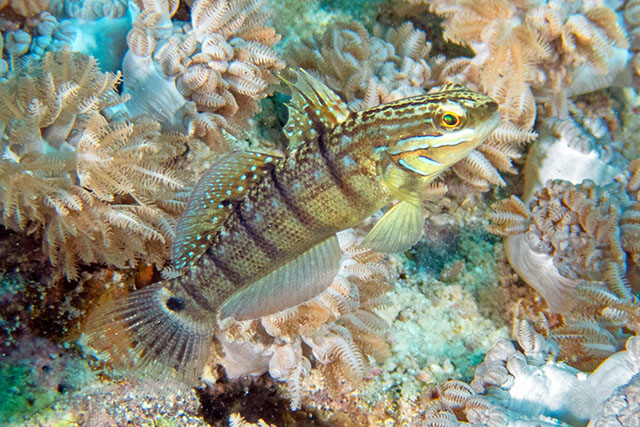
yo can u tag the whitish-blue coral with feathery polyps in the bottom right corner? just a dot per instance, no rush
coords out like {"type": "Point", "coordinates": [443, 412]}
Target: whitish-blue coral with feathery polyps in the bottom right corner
{"type": "Point", "coordinates": [529, 387]}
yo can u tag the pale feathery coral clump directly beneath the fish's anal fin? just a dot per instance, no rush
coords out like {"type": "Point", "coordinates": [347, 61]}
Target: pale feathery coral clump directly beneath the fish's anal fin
{"type": "Point", "coordinates": [338, 327]}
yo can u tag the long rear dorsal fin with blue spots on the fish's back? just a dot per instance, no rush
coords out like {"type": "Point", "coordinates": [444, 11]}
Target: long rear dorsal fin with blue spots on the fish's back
{"type": "Point", "coordinates": [209, 203]}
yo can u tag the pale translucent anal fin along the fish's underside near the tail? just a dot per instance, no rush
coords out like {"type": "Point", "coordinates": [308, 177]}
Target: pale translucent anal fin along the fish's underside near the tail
{"type": "Point", "coordinates": [294, 283]}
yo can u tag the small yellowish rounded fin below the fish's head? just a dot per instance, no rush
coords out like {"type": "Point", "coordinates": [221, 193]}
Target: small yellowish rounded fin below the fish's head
{"type": "Point", "coordinates": [398, 230]}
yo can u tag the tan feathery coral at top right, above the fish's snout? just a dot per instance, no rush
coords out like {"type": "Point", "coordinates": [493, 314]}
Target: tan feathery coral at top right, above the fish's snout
{"type": "Point", "coordinates": [534, 53]}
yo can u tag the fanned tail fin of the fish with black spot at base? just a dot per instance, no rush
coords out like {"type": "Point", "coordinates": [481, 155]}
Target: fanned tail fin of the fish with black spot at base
{"type": "Point", "coordinates": [159, 330]}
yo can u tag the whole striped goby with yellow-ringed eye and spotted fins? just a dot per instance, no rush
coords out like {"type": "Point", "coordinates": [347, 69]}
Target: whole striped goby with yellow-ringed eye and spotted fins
{"type": "Point", "coordinates": [258, 235]}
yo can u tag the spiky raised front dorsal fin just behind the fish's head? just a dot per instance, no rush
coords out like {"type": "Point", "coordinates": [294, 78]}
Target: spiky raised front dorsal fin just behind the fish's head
{"type": "Point", "coordinates": [312, 103]}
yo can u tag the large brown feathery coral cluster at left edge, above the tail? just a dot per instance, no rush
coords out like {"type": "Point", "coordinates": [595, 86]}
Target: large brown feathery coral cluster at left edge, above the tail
{"type": "Point", "coordinates": [99, 186]}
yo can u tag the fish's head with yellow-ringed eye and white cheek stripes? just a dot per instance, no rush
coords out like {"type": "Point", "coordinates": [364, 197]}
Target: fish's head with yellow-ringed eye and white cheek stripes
{"type": "Point", "coordinates": [440, 129]}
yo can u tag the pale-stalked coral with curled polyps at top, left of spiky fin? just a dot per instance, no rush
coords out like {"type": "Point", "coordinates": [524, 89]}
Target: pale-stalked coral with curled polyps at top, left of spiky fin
{"type": "Point", "coordinates": [211, 74]}
